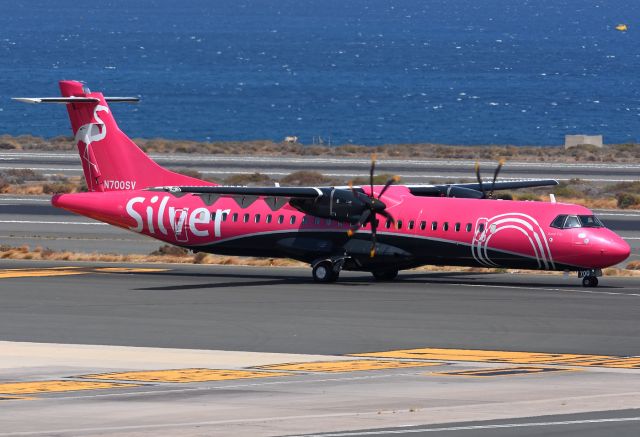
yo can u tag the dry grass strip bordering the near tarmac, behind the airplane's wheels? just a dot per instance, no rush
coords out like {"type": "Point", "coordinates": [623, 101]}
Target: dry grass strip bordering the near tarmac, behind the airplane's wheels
{"type": "Point", "coordinates": [167, 254]}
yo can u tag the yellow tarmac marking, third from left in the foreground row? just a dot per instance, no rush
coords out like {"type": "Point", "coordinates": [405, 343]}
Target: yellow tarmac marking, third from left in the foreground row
{"type": "Point", "coordinates": [348, 366]}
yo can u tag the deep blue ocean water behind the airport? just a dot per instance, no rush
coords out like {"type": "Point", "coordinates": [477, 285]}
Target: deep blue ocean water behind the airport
{"type": "Point", "coordinates": [357, 71]}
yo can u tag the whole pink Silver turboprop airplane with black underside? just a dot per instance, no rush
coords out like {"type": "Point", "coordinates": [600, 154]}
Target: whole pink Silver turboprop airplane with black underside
{"type": "Point", "coordinates": [376, 228]}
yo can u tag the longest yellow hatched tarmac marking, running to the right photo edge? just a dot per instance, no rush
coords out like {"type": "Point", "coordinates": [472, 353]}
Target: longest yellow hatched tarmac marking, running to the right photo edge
{"type": "Point", "coordinates": [485, 356]}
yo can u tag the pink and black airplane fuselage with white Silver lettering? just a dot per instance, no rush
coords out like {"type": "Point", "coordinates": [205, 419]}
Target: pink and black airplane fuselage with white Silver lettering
{"type": "Point", "coordinates": [429, 230]}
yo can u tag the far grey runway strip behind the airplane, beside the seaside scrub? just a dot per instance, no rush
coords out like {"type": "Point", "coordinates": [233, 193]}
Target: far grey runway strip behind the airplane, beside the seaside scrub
{"type": "Point", "coordinates": [411, 170]}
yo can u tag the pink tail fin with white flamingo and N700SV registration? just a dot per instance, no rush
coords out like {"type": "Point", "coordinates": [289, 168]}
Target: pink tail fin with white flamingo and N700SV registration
{"type": "Point", "coordinates": [110, 160]}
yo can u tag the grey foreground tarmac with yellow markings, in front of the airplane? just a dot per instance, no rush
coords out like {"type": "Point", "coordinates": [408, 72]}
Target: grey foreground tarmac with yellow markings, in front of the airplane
{"type": "Point", "coordinates": [441, 353]}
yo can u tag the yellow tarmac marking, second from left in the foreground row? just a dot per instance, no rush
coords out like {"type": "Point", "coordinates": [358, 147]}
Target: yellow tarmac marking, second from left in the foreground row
{"type": "Point", "coordinates": [185, 375]}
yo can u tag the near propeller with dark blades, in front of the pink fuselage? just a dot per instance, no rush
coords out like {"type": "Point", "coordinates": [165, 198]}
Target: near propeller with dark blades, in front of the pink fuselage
{"type": "Point", "coordinates": [372, 206]}
